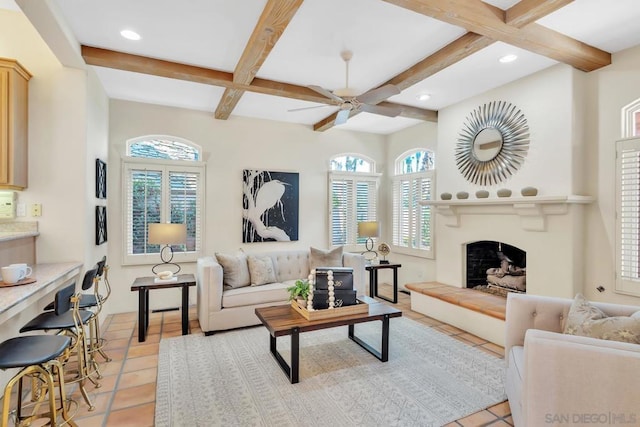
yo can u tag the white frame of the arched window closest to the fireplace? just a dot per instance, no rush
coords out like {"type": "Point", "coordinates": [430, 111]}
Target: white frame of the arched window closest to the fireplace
{"type": "Point", "coordinates": [415, 226]}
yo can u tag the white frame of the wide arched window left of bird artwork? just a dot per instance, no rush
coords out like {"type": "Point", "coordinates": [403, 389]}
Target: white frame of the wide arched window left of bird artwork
{"type": "Point", "coordinates": [165, 166]}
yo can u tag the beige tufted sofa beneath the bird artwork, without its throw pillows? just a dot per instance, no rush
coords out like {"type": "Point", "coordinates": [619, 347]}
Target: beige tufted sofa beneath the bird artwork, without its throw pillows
{"type": "Point", "coordinates": [220, 309]}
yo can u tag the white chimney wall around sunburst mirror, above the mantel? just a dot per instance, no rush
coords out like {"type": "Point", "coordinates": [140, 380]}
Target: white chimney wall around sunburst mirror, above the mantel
{"type": "Point", "coordinates": [545, 98]}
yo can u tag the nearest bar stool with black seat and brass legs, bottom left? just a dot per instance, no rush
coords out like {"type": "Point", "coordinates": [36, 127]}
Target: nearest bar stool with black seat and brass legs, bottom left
{"type": "Point", "coordinates": [37, 357]}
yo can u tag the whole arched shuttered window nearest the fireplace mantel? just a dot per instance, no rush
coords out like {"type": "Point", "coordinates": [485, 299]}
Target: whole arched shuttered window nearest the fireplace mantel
{"type": "Point", "coordinates": [413, 223]}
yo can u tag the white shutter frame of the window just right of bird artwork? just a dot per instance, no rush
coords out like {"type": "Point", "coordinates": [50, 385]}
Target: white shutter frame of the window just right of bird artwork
{"type": "Point", "coordinates": [352, 225]}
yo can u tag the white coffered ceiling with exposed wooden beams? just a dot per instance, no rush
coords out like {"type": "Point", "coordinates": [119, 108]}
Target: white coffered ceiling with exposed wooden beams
{"type": "Point", "coordinates": [255, 58]}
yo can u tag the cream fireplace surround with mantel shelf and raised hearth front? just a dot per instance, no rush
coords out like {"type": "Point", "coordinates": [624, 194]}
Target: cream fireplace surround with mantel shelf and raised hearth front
{"type": "Point", "coordinates": [550, 229]}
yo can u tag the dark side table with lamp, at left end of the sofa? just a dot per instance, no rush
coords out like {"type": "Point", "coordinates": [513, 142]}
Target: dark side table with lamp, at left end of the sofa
{"type": "Point", "coordinates": [144, 284]}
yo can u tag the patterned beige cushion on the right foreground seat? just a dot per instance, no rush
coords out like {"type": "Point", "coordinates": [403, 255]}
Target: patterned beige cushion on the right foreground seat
{"type": "Point", "coordinates": [585, 319]}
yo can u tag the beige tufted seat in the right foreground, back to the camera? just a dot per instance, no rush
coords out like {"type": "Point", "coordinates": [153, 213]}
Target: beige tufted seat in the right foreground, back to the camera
{"type": "Point", "coordinates": [558, 379]}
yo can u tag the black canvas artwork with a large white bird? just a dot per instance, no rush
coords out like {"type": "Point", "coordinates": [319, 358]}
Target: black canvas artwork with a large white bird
{"type": "Point", "coordinates": [269, 206]}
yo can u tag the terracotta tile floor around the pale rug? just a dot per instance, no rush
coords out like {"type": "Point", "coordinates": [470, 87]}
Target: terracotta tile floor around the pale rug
{"type": "Point", "coordinates": [126, 396]}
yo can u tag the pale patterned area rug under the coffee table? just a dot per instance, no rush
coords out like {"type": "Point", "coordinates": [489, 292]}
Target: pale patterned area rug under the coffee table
{"type": "Point", "coordinates": [231, 379]}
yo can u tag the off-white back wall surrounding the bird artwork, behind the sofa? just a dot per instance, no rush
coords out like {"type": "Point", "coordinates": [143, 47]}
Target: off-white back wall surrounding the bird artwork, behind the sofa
{"type": "Point", "coordinates": [230, 146]}
